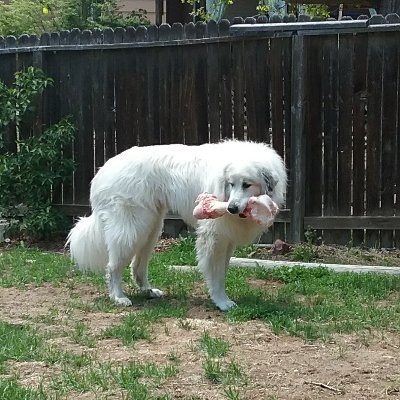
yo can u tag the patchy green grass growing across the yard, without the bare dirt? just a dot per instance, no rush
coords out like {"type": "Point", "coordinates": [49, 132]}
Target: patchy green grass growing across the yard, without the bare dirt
{"type": "Point", "coordinates": [313, 304]}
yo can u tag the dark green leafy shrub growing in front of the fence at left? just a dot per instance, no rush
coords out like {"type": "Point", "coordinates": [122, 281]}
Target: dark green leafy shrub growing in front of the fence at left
{"type": "Point", "coordinates": [31, 176]}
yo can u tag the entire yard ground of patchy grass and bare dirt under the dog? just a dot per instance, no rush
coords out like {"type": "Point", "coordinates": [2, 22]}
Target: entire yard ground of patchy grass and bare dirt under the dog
{"type": "Point", "coordinates": [296, 333]}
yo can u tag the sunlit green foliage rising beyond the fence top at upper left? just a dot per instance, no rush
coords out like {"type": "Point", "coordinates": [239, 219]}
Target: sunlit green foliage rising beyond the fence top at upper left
{"type": "Point", "coordinates": [33, 16]}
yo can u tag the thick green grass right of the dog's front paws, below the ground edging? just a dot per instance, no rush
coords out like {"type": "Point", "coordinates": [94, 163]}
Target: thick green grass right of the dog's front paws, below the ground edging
{"type": "Point", "coordinates": [316, 303]}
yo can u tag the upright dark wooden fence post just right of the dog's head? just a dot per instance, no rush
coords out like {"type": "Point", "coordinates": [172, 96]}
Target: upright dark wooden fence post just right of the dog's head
{"type": "Point", "coordinates": [298, 140]}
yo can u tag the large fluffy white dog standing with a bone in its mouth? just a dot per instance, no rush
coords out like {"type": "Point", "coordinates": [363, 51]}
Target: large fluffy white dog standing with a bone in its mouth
{"type": "Point", "coordinates": [132, 193]}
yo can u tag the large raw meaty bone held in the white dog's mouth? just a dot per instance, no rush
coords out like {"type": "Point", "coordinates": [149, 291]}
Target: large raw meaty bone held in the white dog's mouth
{"type": "Point", "coordinates": [262, 209]}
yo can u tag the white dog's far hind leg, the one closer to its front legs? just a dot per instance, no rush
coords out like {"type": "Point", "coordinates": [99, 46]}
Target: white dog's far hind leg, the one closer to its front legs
{"type": "Point", "coordinates": [139, 264]}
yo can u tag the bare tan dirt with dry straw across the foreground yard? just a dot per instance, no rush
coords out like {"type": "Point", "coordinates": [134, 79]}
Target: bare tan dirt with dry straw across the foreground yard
{"type": "Point", "coordinates": [360, 366]}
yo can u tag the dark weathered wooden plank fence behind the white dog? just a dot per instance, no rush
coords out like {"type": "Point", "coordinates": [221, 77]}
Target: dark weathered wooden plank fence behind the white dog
{"type": "Point", "coordinates": [324, 94]}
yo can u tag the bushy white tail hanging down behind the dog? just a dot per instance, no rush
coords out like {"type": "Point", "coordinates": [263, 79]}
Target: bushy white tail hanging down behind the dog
{"type": "Point", "coordinates": [87, 245]}
